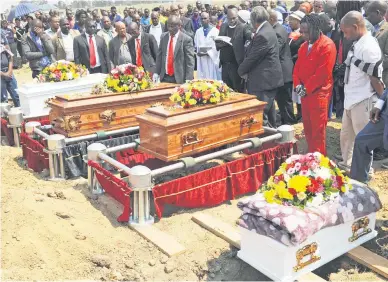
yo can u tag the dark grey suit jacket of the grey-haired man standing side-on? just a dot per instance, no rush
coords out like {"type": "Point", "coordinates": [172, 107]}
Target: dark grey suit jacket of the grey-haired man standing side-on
{"type": "Point", "coordinates": [262, 63]}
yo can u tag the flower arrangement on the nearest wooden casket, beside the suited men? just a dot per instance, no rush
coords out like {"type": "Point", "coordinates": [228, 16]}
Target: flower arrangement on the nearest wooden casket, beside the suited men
{"type": "Point", "coordinates": [200, 92]}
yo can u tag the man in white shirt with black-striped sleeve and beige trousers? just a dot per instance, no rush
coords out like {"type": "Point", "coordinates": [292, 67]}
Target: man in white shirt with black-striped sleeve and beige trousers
{"type": "Point", "coordinates": [361, 84]}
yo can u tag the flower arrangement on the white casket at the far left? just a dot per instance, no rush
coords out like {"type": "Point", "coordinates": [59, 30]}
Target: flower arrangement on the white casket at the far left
{"type": "Point", "coordinates": [62, 71]}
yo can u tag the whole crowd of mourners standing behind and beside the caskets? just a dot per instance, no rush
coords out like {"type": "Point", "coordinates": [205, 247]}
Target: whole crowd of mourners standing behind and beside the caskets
{"type": "Point", "coordinates": [324, 56]}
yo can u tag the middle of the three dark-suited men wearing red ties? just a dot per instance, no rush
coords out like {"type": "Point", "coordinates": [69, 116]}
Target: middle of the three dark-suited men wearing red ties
{"type": "Point", "coordinates": [143, 48]}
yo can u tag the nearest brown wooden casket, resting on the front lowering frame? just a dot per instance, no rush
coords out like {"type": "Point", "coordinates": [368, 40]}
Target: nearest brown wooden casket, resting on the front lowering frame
{"type": "Point", "coordinates": [170, 133]}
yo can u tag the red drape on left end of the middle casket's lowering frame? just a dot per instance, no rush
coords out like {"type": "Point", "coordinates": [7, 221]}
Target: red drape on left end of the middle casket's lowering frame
{"type": "Point", "coordinates": [37, 160]}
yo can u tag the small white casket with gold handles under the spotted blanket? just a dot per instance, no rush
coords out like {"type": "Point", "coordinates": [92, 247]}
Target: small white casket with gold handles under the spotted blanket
{"type": "Point", "coordinates": [287, 263]}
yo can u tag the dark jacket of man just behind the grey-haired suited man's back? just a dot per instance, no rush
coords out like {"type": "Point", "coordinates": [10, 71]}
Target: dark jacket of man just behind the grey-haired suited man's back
{"type": "Point", "coordinates": [284, 52]}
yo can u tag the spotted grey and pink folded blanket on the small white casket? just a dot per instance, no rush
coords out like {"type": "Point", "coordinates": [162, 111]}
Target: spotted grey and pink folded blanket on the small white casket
{"type": "Point", "coordinates": [291, 225]}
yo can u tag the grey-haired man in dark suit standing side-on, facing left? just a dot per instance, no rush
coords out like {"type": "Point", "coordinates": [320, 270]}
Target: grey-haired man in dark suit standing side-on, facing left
{"type": "Point", "coordinates": [261, 66]}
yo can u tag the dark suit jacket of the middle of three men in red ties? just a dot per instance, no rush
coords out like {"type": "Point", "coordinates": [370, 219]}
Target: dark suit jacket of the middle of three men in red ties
{"type": "Point", "coordinates": [149, 51]}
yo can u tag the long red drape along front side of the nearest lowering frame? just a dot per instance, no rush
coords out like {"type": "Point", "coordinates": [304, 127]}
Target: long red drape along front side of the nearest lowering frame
{"type": "Point", "coordinates": [216, 185]}
